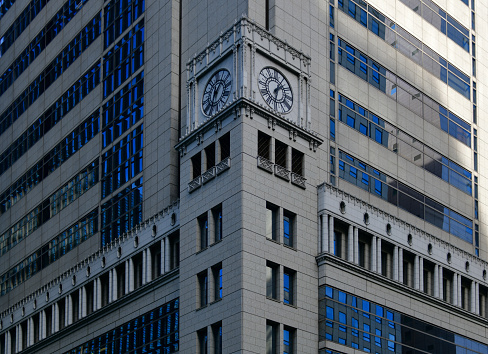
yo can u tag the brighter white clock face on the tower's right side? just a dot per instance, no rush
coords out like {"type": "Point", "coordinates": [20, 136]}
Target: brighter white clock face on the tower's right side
{"type": "Point", "coordinates": [275, 89]}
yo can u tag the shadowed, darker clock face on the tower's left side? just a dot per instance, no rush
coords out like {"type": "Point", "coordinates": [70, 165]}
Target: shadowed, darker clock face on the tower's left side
{"type": "Point", "coordinates": [216, 92]}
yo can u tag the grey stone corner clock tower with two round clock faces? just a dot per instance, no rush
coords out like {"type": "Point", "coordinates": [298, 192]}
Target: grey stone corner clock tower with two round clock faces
{"type": "Point", "coordinates": [248, 159]}
